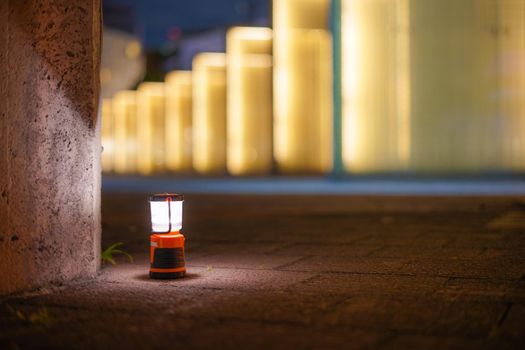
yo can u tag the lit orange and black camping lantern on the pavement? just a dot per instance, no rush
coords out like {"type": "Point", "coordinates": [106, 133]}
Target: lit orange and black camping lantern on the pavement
{"type": "Point", "coordinates": [166, 240]}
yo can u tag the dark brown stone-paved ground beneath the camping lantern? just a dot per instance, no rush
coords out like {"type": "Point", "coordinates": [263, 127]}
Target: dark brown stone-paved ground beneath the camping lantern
{"type": "Point", "coordinates": [297, 272]}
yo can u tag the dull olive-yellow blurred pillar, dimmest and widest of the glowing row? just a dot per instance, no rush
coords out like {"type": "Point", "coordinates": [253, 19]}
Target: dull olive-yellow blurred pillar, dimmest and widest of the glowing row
{"type": "Point", "coordinates": [454, 101]}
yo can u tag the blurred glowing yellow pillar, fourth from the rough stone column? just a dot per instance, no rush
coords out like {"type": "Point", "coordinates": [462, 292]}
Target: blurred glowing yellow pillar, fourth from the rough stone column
{"type": "Point", "coordinates": [178, 121]}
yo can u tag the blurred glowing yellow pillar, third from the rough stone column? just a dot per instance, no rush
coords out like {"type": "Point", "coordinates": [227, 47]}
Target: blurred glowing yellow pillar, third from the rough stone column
{"type": "Point", "coordinates": [151, 117]}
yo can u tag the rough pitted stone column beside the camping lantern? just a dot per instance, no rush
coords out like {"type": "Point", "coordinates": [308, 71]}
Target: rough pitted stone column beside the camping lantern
{"type": "Point", "coordinates": [49, 142]}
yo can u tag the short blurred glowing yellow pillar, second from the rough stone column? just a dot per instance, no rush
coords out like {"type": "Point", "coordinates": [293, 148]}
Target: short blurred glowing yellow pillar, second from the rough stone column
{"type": "Point", "coordinates": [125, 132]}
